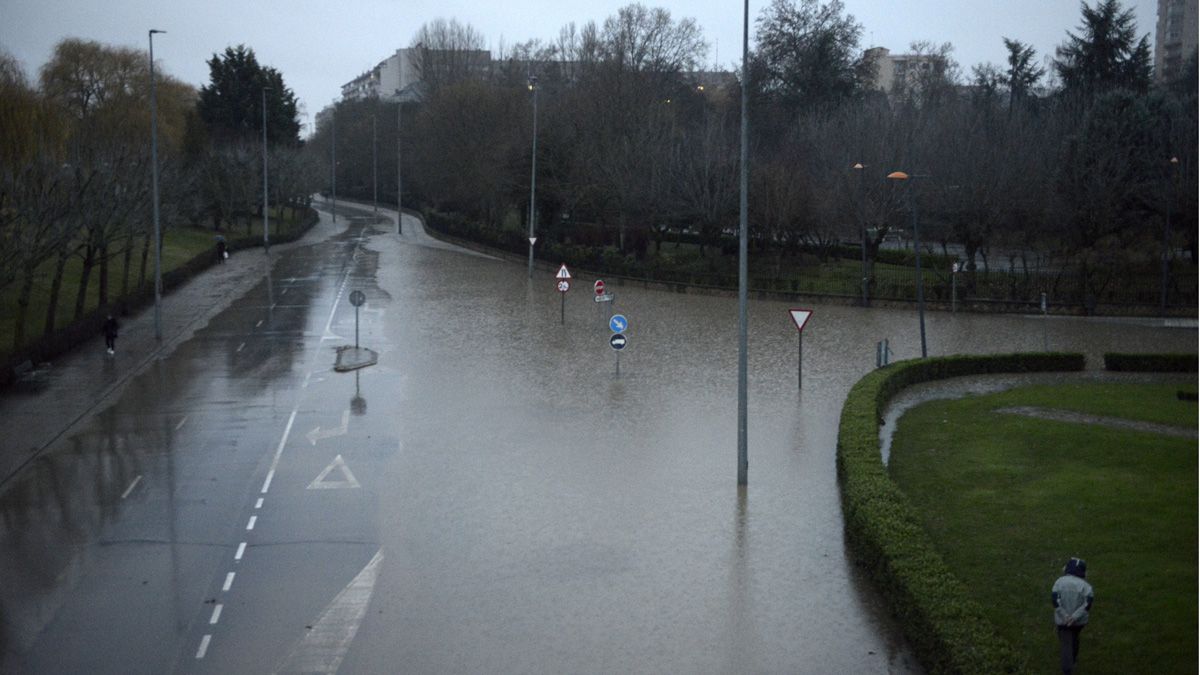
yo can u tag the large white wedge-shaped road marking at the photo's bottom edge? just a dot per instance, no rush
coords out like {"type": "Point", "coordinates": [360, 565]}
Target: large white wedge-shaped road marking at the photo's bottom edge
{"type": "Point", "coordinates": [325, 647]}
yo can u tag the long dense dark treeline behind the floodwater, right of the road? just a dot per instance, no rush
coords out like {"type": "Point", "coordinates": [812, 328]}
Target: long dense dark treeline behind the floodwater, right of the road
{"type": "Point", "coordinates": [1071, 164]}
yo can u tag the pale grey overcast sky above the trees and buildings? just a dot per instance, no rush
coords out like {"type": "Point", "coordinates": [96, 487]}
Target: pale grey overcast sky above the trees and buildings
{"type": "Point", "coordinates": [321, 45]}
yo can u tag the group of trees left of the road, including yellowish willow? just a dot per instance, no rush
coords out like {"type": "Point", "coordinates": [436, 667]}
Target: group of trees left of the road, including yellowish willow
{"type": "Point", "coordinates": [76, 177]}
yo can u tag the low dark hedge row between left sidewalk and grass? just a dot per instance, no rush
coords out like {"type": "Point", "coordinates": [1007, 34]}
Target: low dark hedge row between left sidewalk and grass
{"type": "Point", "coordinates": [91, 324]}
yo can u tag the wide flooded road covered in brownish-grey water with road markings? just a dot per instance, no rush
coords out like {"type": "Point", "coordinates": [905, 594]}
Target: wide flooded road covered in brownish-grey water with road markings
{"type": "Point", "coordinates": [489, 498]}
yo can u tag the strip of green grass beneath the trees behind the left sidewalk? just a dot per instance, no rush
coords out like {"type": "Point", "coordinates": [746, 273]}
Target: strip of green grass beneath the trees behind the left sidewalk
{"type": "Point", "coordinates": [179, 246]}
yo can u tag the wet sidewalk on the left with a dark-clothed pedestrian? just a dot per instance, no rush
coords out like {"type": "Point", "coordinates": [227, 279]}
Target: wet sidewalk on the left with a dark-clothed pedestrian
{"type": "Point", "coordinates": [56, 398]}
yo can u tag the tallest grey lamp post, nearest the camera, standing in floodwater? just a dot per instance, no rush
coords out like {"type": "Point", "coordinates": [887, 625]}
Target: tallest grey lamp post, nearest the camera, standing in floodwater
{"type": "Point", "coordinates": [743, 248]}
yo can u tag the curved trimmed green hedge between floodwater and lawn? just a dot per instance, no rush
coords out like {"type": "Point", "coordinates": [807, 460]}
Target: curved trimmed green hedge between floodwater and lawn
{"type": "Point", "coordinates": [938, 613]}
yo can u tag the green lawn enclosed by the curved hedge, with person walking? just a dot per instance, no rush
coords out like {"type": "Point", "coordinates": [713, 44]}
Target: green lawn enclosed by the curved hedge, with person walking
{"type": "Point", "coordinates": [1007, 499]}
